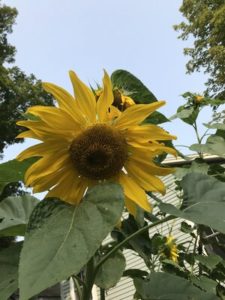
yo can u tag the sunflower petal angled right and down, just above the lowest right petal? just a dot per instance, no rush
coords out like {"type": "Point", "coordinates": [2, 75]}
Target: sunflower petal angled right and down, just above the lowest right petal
{"type": "Point", "coordinates": [147, 181]}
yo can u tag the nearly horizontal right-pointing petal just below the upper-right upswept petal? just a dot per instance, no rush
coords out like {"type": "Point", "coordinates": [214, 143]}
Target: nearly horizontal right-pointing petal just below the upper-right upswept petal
{"type": "Point", "coordinates": [146, 133]}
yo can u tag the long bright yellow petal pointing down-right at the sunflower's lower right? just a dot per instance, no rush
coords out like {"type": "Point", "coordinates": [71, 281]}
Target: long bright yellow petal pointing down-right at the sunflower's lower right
{"type": "Point", "coordinates": [134, 192]}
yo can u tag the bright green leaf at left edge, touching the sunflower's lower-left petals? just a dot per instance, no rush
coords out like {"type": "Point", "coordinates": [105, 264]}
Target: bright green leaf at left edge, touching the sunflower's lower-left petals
{"type": "Point", "coordinates": [13, 171]}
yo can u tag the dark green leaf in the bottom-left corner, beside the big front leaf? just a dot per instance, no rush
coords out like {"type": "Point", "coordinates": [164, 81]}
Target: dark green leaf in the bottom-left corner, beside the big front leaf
{"type": "Point", "coordinates": [9, 260]}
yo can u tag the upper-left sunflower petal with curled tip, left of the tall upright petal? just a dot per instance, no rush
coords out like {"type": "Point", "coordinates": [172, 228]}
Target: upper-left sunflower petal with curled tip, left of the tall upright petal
{"type": "Point", "coordinates": [65, 101]}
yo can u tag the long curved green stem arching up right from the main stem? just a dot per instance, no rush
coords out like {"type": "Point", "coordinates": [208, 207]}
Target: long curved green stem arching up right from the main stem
{"type": "Point", "coordinates": [118, 246]}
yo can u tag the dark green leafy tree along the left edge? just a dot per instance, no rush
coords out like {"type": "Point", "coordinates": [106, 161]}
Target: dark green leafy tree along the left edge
{"type": "Point", "coordinates": [17, 90]}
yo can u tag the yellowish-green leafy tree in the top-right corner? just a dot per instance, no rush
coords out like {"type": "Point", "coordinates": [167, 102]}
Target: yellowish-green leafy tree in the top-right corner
{"type": "Point", "coordinates": [205, 22]}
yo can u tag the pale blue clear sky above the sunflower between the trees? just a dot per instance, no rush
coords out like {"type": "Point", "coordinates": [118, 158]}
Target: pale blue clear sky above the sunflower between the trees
{"type": "Point", "coordinates": [87, 36]}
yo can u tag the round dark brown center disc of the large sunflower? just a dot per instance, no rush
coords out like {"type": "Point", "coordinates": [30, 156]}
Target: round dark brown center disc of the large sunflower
{"type": "Point", "coordinates": [99, 152]}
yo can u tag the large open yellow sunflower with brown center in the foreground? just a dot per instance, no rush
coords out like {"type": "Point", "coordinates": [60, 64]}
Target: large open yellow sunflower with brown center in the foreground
{"type": "Point", "coordinates": [84, 142]}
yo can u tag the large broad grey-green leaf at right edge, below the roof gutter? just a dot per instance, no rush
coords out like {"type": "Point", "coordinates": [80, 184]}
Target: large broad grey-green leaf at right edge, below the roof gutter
{"type": "Point", "coordinates": [204, 201]}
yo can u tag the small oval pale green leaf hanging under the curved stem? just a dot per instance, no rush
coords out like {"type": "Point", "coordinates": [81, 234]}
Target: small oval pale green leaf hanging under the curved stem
{"type": "Point", "coordinates": [111, 271]}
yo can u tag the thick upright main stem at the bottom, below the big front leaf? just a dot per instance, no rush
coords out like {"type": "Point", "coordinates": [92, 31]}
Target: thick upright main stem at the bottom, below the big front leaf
{"type": "Point", "coordinates": [89, 280]}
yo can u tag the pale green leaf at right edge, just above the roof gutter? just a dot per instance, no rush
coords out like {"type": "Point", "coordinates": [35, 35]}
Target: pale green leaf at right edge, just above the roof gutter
{"type": "Point", "coordinates": [214, 145]}
